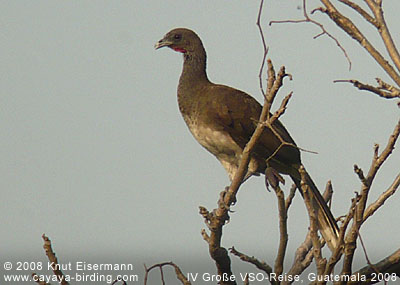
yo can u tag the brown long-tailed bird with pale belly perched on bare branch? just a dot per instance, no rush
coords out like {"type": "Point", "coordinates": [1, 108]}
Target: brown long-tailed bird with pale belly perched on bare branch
{"type": "Point", "coordinates": [222, 119]}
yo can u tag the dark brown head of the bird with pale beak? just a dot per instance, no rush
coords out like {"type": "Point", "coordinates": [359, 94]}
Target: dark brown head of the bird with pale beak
{"type": "Point", "coordinates": [180, 40]}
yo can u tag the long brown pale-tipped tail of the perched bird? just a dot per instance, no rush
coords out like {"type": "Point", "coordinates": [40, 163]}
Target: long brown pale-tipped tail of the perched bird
{"type": "Point", "coordinates": [326, 222]}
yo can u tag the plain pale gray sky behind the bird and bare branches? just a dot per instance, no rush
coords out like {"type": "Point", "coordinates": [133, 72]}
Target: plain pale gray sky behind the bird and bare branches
{"type": "Point", "coordinates": [95, 154]}
